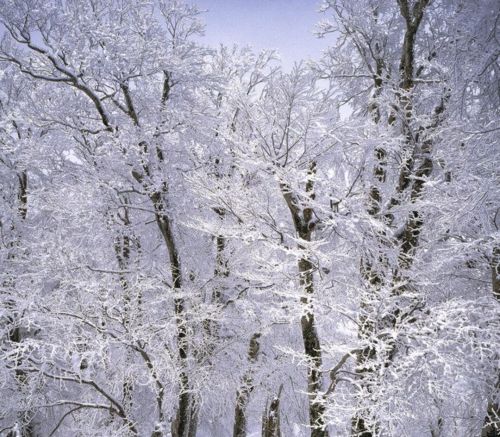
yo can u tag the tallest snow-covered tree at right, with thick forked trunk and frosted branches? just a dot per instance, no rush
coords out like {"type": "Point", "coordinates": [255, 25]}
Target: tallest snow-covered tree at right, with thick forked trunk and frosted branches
{"type": "Point", "coordinates": [408, 73]}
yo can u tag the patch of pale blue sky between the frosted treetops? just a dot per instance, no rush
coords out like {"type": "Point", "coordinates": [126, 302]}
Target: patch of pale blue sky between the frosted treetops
{"type": "Point", "coordinates": [285, 25]}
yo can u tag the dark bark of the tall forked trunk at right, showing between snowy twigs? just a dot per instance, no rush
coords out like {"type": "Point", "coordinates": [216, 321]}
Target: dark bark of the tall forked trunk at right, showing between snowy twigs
{"type": "Point", "coordinates": [371, 269]}
